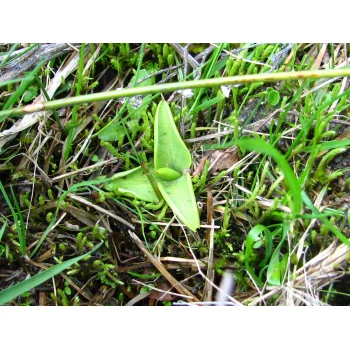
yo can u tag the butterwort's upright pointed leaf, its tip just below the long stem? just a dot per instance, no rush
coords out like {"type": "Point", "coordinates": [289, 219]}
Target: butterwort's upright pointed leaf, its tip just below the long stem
{"type": "Point", "coordinates": [169, 149]}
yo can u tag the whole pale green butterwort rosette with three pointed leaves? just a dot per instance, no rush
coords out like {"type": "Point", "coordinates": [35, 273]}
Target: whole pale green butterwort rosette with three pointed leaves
{"type": "Point", "coordinates": [167, 177]}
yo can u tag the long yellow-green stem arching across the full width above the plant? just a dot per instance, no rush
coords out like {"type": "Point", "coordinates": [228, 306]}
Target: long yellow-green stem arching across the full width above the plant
{"type": "Point", "coordinates": [163, 88]}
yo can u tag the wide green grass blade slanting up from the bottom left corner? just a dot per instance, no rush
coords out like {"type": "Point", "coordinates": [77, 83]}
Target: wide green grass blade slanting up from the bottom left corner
{"type": "Point", "coordinates": [12, 292]}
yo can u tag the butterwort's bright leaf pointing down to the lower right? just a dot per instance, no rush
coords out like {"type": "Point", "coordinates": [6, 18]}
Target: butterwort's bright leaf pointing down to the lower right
{"type": "Point", "coordinates": [180, 197]}
